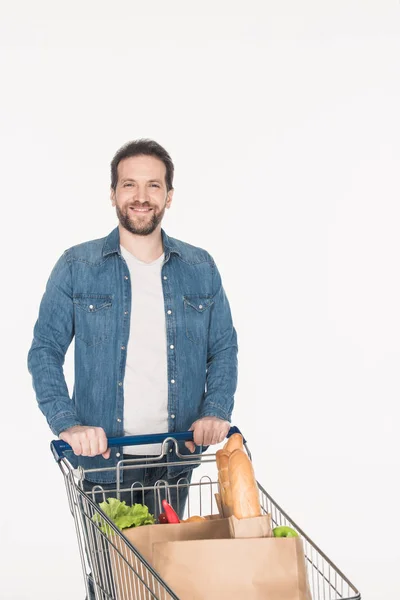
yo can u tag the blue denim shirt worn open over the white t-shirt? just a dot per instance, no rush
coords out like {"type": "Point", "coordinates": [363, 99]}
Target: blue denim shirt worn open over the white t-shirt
{"type": "Point", "coordinates": [88, 295]}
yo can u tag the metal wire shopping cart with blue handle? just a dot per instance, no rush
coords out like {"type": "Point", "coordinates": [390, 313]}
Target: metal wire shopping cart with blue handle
{"type": "Point", "coordinates": [114, 569]}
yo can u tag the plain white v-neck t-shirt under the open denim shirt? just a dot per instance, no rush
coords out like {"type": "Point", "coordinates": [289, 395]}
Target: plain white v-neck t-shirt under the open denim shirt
{"type": "Point", "coordinates": [146, 375]}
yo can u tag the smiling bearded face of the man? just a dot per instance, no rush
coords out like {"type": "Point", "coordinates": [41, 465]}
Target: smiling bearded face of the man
{"type": "Point", "coordinates": [141, 195]}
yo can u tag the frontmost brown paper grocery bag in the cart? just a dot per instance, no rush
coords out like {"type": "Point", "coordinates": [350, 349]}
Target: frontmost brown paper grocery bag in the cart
{"type": "Point", "coordinates": [235, 569]}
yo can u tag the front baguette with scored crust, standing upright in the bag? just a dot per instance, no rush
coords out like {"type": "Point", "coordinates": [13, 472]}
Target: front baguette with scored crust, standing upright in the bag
{"type": "Point", "coordinates": [243, 486]}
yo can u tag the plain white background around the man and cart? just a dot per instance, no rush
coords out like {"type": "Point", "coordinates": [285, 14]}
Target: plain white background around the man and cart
{"type": "Point", "coordinates": [282, 119]}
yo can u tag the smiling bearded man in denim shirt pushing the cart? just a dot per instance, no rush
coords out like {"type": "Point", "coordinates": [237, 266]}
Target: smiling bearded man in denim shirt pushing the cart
{"type": "Point", "coordinates": [155, 347]}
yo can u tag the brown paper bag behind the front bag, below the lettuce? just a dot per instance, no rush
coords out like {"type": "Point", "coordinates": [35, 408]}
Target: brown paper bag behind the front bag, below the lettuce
{"type": "Point", "coordinates": [131, 578]}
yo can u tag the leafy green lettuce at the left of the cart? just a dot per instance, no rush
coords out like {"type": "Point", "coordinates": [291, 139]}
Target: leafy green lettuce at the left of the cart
{"type": "Point", "coordinates": [123, 516]}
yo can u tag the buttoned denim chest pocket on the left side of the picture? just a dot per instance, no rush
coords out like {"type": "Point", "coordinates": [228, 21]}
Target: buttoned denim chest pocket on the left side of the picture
{"type": "Point", "coordinates": [93, 314]}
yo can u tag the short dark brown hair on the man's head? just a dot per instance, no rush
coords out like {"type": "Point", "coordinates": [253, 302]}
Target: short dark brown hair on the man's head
{"type": "Point", "coordinates": [139, 148]}
